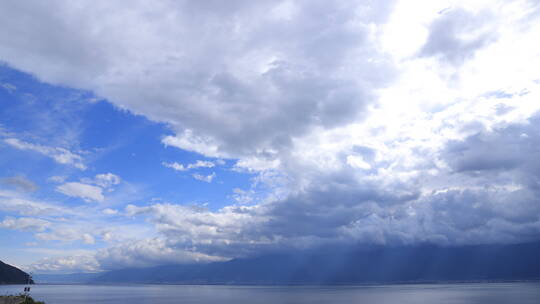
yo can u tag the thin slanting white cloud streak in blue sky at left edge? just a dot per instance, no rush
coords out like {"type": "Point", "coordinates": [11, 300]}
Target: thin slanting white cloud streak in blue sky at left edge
{"type": "Point", "coordinates": [60, 155]}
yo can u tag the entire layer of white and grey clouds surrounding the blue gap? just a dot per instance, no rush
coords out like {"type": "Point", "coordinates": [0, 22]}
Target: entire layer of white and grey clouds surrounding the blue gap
{"type": "Point", "coordinates": [377, 123]}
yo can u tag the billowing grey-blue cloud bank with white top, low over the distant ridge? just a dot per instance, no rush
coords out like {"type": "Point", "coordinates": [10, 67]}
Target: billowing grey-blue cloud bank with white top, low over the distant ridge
{"type": "Point", "coordinates": [465, 180]}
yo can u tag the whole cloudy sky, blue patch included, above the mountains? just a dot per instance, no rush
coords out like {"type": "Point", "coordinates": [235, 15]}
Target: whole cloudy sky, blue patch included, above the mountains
{"type": "Point", "coordinates": [197, 131]}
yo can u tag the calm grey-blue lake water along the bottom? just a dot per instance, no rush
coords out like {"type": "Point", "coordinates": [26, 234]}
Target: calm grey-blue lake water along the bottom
{"type": "Point", "coordinates": [492, 293]}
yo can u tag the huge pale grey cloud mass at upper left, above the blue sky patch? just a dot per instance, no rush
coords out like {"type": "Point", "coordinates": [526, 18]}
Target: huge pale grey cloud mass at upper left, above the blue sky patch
{"type": "Point", "coordinates": [274, 58]}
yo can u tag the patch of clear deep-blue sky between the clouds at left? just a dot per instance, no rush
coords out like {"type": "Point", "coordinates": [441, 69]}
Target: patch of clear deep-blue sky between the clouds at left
{"type": "Point", "coordinates": [108, 139]}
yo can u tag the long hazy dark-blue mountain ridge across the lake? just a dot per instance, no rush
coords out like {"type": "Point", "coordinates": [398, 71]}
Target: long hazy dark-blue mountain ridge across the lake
{"type": "Point", "coordinates": [364, 265]}
